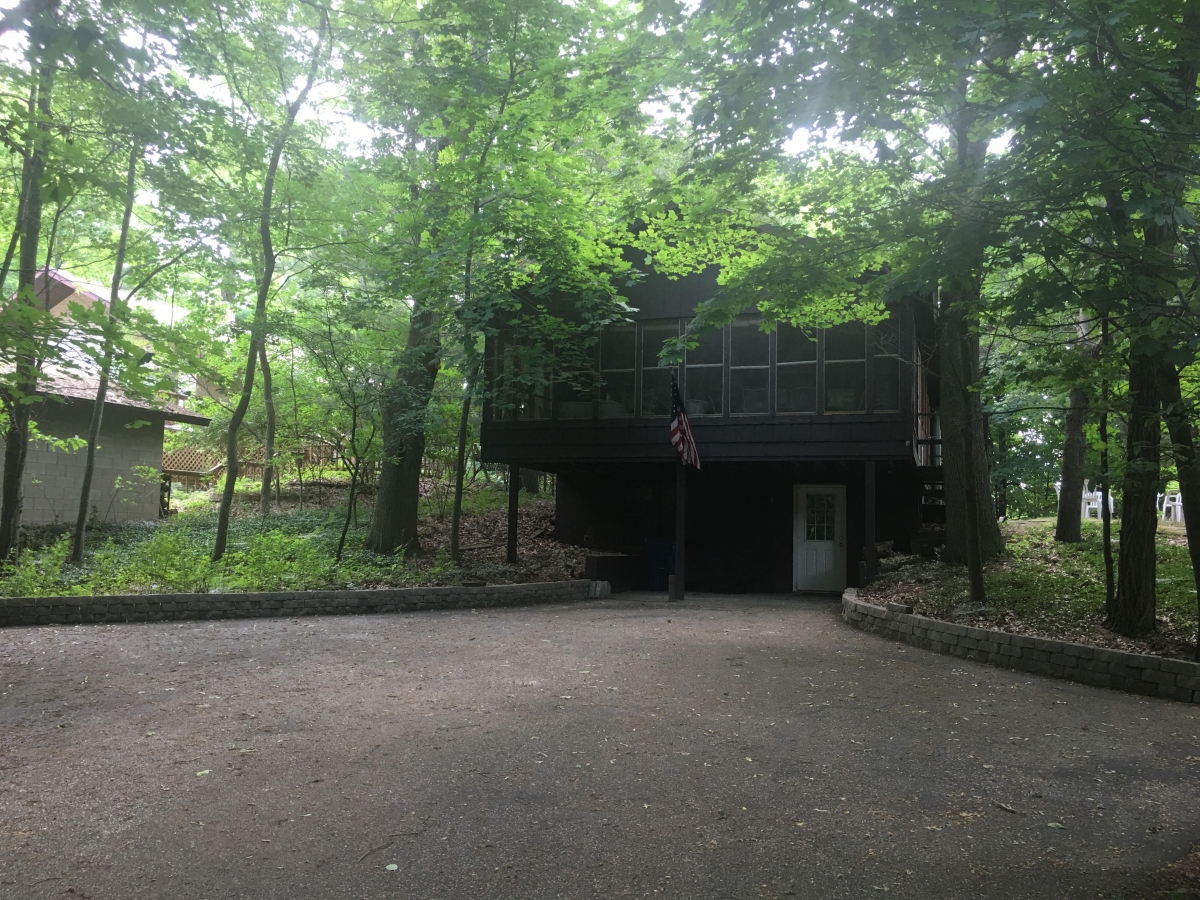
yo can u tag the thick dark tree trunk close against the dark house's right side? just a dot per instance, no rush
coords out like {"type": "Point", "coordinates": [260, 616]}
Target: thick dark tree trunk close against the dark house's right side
{"type": "Point", "coordinates": [959, 407]}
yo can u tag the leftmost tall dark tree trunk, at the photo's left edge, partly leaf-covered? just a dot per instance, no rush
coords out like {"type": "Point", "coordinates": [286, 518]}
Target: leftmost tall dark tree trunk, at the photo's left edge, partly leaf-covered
{"type": "Point", "coordinates": [26, 376]}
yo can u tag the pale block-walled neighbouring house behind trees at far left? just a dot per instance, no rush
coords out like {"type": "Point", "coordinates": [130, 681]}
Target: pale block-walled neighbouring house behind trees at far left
{"type": "Point", "coordinates": [127, 484]}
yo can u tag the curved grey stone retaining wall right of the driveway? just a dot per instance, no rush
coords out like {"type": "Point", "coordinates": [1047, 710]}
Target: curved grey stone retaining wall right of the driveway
{"type": "Point", "coordinates": [1155, 676]}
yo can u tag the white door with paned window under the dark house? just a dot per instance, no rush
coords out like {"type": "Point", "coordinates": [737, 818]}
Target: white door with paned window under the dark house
{"type": "Point", "coordinates": [819, 560]}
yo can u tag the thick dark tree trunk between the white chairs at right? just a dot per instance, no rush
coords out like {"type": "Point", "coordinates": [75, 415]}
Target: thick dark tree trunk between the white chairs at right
{"type": "Point", "coordinates": [1136, 601]}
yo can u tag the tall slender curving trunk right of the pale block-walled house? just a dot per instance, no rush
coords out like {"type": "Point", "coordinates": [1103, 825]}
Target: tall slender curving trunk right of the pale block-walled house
{"type": "Point", "coordinates": [259, 331]}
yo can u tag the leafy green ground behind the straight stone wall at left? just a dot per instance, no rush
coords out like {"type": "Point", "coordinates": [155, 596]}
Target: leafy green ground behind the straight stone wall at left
{"type": "Point", "coordinates": [295, 549]}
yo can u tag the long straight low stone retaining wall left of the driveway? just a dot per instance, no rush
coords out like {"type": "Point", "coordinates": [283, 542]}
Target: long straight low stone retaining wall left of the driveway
{"type": "Point", "coordinates": [169, 608]}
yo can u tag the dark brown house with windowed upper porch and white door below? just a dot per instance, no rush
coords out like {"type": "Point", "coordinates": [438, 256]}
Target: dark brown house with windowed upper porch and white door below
{"type": "Point", "coordinates": [814, 447]}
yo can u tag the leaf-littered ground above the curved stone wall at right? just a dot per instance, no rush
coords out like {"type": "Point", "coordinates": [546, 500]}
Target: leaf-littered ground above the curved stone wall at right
{"type": "Point", "coordinates": [1043, 589]}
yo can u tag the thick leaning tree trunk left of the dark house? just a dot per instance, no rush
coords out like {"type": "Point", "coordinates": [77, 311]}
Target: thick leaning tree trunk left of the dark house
{"type": "Point", "coordinates": [405, 410]}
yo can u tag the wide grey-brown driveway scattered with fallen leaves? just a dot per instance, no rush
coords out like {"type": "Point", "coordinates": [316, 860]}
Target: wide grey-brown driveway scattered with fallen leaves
{"type": "Point", "coordinates": [723, 748]}
